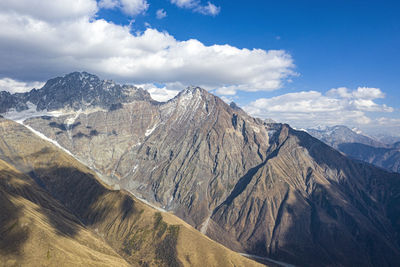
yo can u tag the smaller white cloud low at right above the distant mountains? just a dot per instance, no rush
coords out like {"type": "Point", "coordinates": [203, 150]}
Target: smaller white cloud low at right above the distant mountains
{"type": "Point", "coordinates": [311, 108]}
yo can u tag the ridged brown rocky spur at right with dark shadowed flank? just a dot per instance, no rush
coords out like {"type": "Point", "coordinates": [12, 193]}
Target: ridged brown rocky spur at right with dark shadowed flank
{"type": "Point", "coordinates": [308, 199]}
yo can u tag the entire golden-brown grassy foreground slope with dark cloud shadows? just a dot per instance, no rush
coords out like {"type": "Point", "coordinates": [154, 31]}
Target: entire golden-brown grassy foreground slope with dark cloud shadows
{"type": "Point", "coordinates": [55, 212]}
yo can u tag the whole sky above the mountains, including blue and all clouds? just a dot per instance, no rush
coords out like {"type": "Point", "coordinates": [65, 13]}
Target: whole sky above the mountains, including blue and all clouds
{"type": "Point", "coordinates": [323, 46]}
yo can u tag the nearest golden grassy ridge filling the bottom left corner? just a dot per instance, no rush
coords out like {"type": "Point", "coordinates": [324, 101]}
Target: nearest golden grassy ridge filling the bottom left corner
{"type": "Point", "coordinates": [27, 232]}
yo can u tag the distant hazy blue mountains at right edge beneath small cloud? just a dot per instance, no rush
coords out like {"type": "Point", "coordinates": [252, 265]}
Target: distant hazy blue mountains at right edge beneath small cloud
{"type": "Point", "coordinates": [360, 147]}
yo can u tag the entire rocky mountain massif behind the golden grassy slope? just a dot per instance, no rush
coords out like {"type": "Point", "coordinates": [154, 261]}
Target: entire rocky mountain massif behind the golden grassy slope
{"type": "Point", "coordinates": [257, 187]}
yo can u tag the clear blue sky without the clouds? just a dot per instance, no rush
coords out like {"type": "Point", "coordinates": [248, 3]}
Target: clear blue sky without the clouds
{"type": "Point", "coordinates": [333, 43]}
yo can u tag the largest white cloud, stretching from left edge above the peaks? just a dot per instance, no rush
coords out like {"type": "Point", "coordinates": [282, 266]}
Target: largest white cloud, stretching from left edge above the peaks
{"type": "Point", "coordinates": [35, 48]}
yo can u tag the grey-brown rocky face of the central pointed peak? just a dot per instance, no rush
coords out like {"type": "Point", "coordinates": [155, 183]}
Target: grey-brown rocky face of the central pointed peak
{"type": "Point", "coordinates": [182, 154]}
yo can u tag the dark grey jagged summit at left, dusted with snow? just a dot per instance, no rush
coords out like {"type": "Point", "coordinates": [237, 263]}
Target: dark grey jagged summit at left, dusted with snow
{"type": "Point", "coordinates": [75, 91]}
